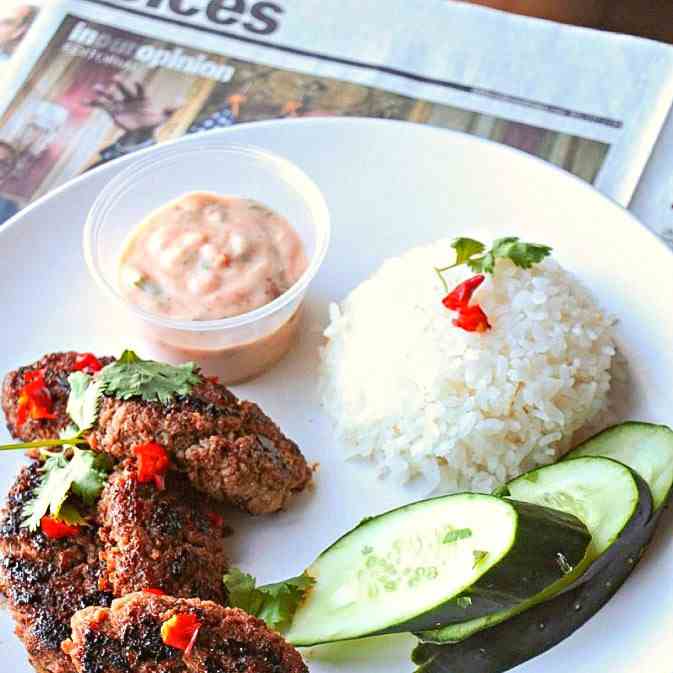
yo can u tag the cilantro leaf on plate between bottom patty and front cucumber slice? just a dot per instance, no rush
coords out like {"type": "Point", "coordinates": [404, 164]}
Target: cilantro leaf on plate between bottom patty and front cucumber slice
{"type": "Point", "coordinates": [273, 603]}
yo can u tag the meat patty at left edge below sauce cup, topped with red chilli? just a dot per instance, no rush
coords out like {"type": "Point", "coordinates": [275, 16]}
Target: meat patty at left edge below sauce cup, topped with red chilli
{"type": "Point", "coordinates": [48, 417]}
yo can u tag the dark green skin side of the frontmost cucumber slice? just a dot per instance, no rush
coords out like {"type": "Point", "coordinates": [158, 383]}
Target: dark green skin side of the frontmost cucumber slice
{"type": "Point", "coordinates": [511, 581]}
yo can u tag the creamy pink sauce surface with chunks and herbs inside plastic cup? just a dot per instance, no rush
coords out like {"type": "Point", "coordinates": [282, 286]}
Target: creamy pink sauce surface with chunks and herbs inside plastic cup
{"type": "Point", "coordinates": [206, 257]}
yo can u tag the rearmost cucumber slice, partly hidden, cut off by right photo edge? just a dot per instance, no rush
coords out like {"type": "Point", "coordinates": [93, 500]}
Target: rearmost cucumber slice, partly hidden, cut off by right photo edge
{"type": "Point", "coordinates": [644, 447]}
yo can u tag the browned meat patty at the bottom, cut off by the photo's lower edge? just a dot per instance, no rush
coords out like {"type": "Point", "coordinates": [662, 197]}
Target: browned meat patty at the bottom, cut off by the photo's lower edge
{"type": "Point", "coordinates": [126, 638]}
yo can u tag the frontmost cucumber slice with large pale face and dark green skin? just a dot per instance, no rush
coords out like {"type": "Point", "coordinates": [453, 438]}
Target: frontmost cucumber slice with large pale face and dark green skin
{"type": "Point", "coordinates": [435, 562]}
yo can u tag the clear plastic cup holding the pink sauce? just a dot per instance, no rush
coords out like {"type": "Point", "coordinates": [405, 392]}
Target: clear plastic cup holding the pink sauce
{"type": "Point", "coordinates": [238, 348]}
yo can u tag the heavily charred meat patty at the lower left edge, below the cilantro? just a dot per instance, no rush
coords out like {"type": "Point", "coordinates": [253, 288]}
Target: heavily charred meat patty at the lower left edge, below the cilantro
{"type": "Point", "coordinates": [45, 581]}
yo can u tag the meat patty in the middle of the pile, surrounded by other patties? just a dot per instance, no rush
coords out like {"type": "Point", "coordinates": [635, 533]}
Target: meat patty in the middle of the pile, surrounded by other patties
{"type": "Point", "coordinates": [173, 540]}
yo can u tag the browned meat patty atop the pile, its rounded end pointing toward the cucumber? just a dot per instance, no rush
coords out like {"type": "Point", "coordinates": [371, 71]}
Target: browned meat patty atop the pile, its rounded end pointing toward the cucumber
{"type": "Point", "coordinates": [229, 448]}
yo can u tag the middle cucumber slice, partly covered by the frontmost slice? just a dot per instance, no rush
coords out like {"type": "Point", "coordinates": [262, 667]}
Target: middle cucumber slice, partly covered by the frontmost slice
{"type": "Point", "coordinates": [607, 496]}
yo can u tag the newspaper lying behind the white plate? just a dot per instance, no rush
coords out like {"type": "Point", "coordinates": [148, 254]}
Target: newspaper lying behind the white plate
{"type": "Point", "coordinates": [83, 82]}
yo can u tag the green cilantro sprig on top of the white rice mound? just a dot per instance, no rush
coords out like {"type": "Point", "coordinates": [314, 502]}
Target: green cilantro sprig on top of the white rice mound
{"type": "Point", "coordinates": [480, 260]}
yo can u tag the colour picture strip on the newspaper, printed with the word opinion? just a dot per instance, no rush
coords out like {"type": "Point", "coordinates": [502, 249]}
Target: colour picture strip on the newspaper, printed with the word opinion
{"type": "Point", "coordinates": [98, 93]}
